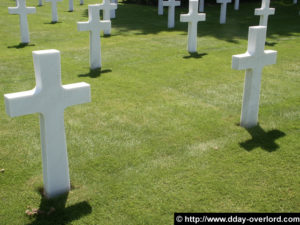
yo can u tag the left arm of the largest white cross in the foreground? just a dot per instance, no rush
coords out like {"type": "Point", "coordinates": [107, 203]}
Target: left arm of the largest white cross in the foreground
{"type": "Point", "coordinates": [21, 103]}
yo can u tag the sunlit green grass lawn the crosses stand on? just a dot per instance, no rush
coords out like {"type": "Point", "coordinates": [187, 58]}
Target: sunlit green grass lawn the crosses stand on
{"type": "Point", "coordinates": [161, 134]}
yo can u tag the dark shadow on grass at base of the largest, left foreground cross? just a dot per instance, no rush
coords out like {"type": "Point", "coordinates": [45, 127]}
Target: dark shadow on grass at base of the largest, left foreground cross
{"type": "Point", "coordinates": [53, 211]}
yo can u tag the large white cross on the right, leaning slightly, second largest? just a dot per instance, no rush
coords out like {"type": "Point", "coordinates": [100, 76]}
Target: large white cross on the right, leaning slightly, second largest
{"type": "Point", "coordinates": [253, 62]}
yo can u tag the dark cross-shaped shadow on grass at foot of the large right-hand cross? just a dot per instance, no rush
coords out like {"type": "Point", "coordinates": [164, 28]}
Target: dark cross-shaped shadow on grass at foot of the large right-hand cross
{"type": "Point", "coordinates": [263, 139]}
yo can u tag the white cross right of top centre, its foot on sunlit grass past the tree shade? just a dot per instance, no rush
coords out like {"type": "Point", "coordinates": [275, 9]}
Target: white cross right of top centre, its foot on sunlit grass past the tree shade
{"type": "Point", "coordinates": [193, 17]}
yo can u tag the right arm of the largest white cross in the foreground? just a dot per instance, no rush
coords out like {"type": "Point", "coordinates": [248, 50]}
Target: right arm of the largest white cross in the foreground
{"type": "Point", "coordinates": [75, 94]}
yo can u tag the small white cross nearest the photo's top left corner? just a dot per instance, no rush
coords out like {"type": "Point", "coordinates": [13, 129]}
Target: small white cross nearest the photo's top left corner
{"type": "Point", "coordinates": [22, 10]}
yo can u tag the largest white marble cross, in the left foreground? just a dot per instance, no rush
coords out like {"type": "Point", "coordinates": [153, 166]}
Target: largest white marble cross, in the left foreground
{"type": "Point", "coordinates": [49, 98]}
